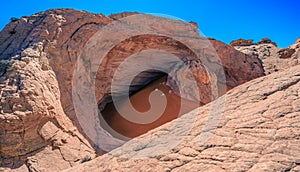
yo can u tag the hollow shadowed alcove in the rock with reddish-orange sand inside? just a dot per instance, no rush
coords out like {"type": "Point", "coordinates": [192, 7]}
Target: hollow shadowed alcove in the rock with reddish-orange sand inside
{"type": "Point", "coordinates": [147, 82]}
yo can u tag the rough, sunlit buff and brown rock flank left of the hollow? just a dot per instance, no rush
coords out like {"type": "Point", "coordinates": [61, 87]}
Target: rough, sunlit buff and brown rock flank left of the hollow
{"type": "Point", "coordinates": [32, 120]}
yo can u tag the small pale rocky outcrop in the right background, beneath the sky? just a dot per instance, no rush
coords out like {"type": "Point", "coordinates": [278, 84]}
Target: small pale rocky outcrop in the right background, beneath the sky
{"type": "Point", "coordinates": [274, 58]}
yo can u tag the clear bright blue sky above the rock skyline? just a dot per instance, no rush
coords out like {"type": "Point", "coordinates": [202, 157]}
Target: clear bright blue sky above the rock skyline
{"type": "Point", "coordinates": [223, 20]}
